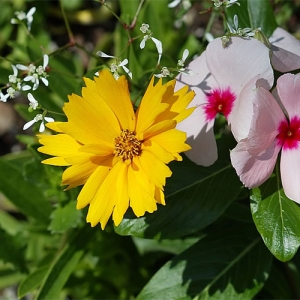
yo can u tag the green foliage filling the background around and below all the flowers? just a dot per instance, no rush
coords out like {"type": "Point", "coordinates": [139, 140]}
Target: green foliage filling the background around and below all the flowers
{"type": "Point", "coordinates": [214, 239]}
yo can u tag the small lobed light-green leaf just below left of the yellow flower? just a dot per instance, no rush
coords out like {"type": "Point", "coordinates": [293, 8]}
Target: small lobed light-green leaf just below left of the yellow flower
{"type": "Point", "coordinates": [64, 218]}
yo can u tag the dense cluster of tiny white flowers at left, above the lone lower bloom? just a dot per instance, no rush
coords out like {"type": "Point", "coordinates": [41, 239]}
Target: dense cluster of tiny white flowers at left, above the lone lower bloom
{"type": "Point", "coordinates": [36, 73]}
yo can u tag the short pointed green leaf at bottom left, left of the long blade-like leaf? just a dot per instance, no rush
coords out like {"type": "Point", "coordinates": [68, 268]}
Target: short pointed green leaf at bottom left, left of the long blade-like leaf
{"type": "Point", "coordinates": [32, 281]}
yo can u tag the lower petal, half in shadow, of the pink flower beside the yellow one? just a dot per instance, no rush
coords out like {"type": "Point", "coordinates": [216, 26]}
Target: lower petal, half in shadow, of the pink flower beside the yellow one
{"type": "Point", "coordinates": [200, 137]}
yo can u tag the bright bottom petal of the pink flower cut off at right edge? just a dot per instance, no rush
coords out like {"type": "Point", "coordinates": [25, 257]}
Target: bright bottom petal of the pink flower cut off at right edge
{"type": "Point", "coordinates": [290, 173]}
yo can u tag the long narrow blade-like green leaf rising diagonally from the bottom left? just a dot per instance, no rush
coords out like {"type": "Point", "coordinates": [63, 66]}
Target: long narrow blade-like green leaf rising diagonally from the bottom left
{"type": "Point", "coordinates": [64, 264]}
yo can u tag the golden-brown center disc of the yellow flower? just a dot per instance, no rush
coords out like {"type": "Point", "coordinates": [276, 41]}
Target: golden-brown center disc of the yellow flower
{"type": "Point", "coordinates": [127, 145]}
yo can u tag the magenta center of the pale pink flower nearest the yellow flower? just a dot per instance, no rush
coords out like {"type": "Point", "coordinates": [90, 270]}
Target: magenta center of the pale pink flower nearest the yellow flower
{"type": "Point", "coordinates": [219, 101]}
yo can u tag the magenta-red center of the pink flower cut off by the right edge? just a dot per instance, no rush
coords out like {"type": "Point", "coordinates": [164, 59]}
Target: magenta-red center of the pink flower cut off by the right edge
{"type": "Point", "coordinates": [289, 134]}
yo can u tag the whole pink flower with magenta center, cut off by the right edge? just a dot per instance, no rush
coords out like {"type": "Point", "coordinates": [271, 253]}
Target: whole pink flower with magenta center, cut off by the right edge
{"type": "Point", "coordinates": [275, 126]}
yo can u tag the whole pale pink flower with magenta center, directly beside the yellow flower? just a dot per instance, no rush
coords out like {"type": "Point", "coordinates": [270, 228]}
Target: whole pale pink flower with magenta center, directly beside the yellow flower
{"type": "Point", "coordinates": [224, 80]}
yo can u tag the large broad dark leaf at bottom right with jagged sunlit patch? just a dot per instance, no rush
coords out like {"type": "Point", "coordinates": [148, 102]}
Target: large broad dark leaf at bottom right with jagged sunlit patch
{"type": "Point", "coordinates": [219, 266]}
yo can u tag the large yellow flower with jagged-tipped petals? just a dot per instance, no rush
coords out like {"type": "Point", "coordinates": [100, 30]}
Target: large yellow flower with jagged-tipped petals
{"type": "Point", "coordinates": [118, 155]}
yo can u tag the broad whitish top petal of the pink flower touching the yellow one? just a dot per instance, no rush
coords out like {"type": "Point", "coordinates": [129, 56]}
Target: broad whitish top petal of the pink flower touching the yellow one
{"type": "Point", "coordinates": [234, 65]}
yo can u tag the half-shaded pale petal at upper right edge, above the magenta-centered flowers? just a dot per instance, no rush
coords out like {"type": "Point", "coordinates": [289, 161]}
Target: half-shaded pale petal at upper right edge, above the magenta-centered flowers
{"type": "Point", "coordinates": [285, 51]}
